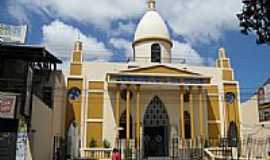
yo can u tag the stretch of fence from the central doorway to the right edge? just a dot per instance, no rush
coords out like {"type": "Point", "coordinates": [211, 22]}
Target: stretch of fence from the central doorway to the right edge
{"type": "Point", "coordinates": [222, 148]}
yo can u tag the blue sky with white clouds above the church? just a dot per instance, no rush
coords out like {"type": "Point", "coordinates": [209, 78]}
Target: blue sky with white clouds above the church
{"type": "Point", "coordinates": [106, 27]}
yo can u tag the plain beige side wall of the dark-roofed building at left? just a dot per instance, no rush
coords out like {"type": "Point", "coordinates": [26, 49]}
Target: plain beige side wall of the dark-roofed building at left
{"type": "Point", "coordinates": [48, 123]}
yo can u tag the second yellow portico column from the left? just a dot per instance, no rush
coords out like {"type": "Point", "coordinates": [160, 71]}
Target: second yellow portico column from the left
{"type": "Point", "coordinates": [127, 116]}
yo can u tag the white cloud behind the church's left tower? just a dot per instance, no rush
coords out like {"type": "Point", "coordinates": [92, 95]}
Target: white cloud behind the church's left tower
{"type": "Point", "coordinates": [60, 38]}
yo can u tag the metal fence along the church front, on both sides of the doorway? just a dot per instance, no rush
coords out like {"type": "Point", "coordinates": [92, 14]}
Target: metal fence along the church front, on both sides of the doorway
{"type": "Point", "coordinates": [197, 149]}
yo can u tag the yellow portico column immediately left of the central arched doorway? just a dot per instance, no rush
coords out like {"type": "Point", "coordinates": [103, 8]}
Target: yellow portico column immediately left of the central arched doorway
{"type": "Point", "coordinates": [138, 117]}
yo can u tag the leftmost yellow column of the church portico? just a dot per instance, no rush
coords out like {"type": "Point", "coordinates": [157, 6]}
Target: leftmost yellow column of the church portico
{"type": "Point", "coordinates": [117, 111]}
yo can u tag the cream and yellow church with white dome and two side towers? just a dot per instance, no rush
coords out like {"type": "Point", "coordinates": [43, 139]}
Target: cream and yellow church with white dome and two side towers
{"type": "Point", "coordinates": [149, 100]}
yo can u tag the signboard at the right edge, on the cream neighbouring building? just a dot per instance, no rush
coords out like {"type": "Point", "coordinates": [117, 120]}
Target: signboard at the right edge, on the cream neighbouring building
{"type": "Point", "coordinates": [263, 96]}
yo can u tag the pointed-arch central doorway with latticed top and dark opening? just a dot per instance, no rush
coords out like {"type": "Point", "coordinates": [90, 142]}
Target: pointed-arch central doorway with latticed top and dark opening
{"type": "Point", "coordinates": [156, 129]}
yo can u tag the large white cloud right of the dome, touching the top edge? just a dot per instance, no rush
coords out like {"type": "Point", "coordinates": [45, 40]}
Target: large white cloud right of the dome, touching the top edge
{"type": "Point", "coordinates": [201, 20]}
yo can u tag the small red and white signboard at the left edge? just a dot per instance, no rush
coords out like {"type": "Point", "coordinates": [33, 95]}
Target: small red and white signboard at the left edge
{"type": "Point", "coordinates": [7, 106]}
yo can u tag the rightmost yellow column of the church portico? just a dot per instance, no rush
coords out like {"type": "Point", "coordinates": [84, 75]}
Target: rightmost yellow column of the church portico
{"type": "Point", "coordinates": [201, 111]}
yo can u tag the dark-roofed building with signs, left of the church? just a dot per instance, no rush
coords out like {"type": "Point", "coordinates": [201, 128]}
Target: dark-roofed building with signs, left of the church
{"type": "Point", "coordinates": [32, 103]}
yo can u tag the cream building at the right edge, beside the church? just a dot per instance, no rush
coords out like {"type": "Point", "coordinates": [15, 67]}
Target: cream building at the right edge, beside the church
{"type": "Point", "coordinates": [255, 117]}
